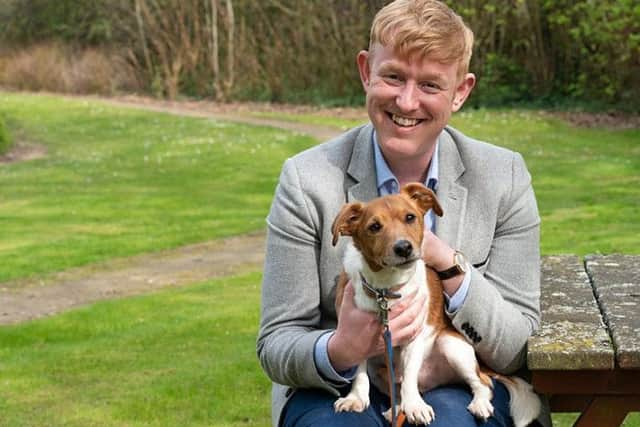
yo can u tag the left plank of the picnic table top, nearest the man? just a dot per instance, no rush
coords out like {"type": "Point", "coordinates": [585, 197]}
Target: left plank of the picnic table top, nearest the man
{"type": "Point", "coordinates": [572, 335]}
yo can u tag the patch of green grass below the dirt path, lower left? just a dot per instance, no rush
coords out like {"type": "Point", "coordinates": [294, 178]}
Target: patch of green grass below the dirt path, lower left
{"type": "Point", "coordinates": [182, 357]}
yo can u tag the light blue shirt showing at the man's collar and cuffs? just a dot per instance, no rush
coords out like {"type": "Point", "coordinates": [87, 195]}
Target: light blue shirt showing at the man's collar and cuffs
{"type": "Point", "coordinates": [387, 183]}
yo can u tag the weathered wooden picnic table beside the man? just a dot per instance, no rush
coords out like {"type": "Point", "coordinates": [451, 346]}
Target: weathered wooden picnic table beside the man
{"type": "Point", "coordinates": [586, 355]}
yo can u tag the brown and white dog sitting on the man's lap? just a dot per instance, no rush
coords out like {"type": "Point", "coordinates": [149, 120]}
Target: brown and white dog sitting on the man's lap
{"type": "Point", "coordinates": [385, 250]}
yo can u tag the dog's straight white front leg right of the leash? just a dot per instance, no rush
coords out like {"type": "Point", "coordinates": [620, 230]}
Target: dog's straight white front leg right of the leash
{"type": "Point", "coordinates": [413, 405]}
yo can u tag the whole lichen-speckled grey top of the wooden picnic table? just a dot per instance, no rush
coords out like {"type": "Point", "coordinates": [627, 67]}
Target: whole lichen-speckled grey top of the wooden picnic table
{"type": "Point", "coordinates": [590, 314]}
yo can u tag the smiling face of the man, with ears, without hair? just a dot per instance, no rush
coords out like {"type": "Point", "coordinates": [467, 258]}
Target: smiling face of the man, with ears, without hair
{"type": "Point", "coordinates": [410, 100]}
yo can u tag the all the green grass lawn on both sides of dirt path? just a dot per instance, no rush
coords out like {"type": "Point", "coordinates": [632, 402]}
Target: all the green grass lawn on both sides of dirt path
{"type": "Point", "coordinates": [119, 182]}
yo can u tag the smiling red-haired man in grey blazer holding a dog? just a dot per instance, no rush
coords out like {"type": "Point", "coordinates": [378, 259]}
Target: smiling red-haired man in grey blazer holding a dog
{"type": "Point", "coordinates": [415, 75]}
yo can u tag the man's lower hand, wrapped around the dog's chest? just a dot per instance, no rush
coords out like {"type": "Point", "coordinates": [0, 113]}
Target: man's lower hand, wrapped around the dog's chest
{"type": "Point", "coordinates": [359, 333]}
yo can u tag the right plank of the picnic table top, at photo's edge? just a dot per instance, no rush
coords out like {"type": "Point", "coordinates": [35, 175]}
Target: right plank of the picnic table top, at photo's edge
{"type": "Point", "coordinates": [616, 281]}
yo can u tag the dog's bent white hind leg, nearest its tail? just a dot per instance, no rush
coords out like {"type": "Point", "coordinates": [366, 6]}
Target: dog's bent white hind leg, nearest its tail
{"type": "Point", "coordinates": [462, 358]}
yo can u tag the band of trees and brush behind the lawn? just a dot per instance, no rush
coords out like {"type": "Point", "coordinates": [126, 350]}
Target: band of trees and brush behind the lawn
{"type": "Point", "coordinates": [549, 53]}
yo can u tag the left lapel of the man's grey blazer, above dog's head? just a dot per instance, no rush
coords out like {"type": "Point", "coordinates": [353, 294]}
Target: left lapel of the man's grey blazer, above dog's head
{"type": "Point", "coordinates": [362, 169]}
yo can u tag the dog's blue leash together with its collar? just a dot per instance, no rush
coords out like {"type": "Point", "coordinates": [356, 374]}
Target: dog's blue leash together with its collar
{"type": "Point", "coordinates": [382, 297]}
